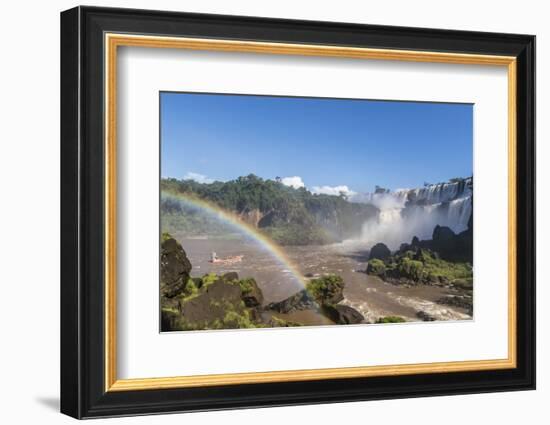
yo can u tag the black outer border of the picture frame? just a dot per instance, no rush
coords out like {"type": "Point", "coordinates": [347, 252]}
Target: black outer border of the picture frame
{"type": "Point", "coordinates": [82, 212]}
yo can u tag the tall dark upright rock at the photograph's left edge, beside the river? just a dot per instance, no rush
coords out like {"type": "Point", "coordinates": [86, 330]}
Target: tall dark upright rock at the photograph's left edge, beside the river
{"type": "Point", "coordinates": [175, 267]}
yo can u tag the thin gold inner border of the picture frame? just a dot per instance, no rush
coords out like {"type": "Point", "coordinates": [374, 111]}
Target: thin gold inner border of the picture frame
{"type": "Point", "coordinates": [114, 41]}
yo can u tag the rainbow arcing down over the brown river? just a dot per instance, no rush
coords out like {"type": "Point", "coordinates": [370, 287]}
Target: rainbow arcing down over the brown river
{"type": "Point", "coordinates": [238, 224]}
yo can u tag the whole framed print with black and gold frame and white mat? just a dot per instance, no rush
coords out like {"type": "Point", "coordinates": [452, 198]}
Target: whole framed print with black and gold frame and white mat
{"type": "Point", "coordinates": [261, 212]}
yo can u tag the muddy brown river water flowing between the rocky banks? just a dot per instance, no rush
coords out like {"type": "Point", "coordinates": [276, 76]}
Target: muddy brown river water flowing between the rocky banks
{"type": "Point", "coordinates": [367, 294]}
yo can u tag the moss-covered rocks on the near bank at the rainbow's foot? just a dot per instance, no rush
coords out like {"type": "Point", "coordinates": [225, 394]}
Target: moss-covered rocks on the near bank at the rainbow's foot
{"type": "Point", "coordinates": [228, 302]}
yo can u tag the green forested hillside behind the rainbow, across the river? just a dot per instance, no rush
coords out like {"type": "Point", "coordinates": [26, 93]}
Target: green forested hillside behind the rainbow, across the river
{"type": "Point", "coordinates": [289, 216]}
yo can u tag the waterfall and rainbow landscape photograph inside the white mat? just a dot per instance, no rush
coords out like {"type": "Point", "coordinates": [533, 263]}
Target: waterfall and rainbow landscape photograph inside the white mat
{"type": "Point", "coordinates": [279, 211]}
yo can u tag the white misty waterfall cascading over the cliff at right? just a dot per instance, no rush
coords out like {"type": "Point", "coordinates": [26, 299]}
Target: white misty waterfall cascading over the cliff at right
{"type": "Point", "coordinates": [415, 212]}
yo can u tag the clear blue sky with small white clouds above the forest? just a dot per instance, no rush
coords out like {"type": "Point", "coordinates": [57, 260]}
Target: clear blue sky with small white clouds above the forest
{"type": "Point", "coordinates": [324, 143]}
